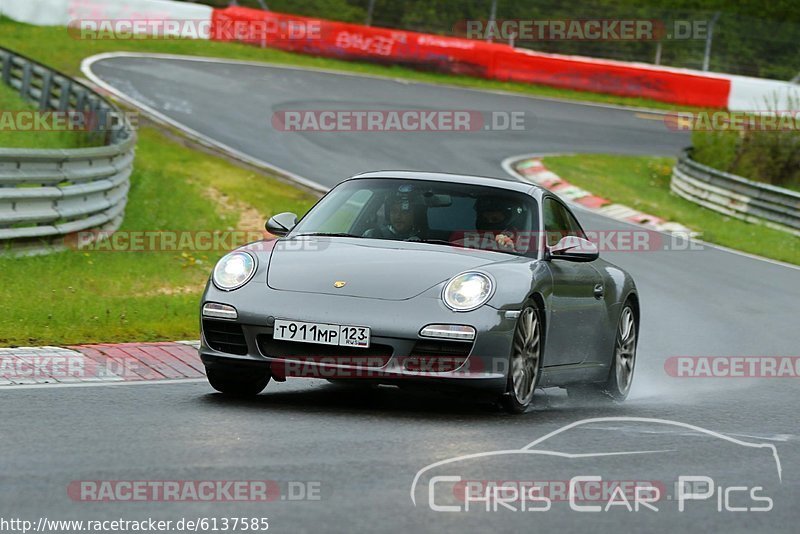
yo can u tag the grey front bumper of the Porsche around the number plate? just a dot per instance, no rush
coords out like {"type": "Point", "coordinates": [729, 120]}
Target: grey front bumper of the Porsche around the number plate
{"type": "Point", "coordinates": [394, 345]}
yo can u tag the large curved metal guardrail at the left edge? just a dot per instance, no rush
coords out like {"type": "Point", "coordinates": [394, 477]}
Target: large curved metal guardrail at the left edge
{"type": "Point", "coordinates": [45, 195]}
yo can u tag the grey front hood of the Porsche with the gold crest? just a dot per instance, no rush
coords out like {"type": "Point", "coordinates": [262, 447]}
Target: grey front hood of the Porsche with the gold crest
{"type": "Point", "coordinates": [370, 268]}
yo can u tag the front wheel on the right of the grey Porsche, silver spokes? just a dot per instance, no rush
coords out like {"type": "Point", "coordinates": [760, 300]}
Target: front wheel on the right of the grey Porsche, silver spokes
{"type": "Point", "coordinates": [525, 362]}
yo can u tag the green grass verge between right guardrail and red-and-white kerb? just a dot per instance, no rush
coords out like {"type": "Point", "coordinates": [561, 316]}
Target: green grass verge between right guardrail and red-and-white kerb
{"type": "Point", "coordinates": [643, 183]}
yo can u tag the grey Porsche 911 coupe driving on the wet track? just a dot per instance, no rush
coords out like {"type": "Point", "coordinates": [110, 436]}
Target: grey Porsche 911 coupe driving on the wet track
{"type": "Point", "coordinates": [479, 284]}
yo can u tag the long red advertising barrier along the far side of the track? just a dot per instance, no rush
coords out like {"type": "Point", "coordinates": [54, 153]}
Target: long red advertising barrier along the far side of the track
{"type": "Point", "coordinates": [465, 56]}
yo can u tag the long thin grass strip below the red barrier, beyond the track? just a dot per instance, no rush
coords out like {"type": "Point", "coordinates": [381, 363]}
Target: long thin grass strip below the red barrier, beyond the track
{"type": "Point", "coordinates": [55, 47]}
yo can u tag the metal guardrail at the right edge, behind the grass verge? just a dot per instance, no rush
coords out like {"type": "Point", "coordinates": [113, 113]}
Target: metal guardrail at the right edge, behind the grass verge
{"type": "Point", "coordinates": [736, 196]}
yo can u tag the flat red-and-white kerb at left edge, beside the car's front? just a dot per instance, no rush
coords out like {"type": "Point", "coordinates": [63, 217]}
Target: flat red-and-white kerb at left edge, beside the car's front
{"type": "Point", "coordinates": [100, 364]}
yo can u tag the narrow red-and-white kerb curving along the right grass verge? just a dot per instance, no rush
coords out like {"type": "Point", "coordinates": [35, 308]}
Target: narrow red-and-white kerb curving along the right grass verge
{"type": "Point", "coordinates": [531, 169]}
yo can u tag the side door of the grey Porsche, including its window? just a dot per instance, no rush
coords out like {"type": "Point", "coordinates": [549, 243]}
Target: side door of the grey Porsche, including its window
{"type": "Point", "coordinates": [576, 302]}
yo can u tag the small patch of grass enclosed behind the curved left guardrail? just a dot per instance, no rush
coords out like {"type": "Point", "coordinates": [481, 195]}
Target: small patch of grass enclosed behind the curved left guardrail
{"type": "Point", "coordinates": [10, 103]}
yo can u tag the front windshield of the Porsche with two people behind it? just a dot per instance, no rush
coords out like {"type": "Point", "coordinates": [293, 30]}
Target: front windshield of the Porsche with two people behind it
{"type": "Point", "coordinates": [441, 213]}
